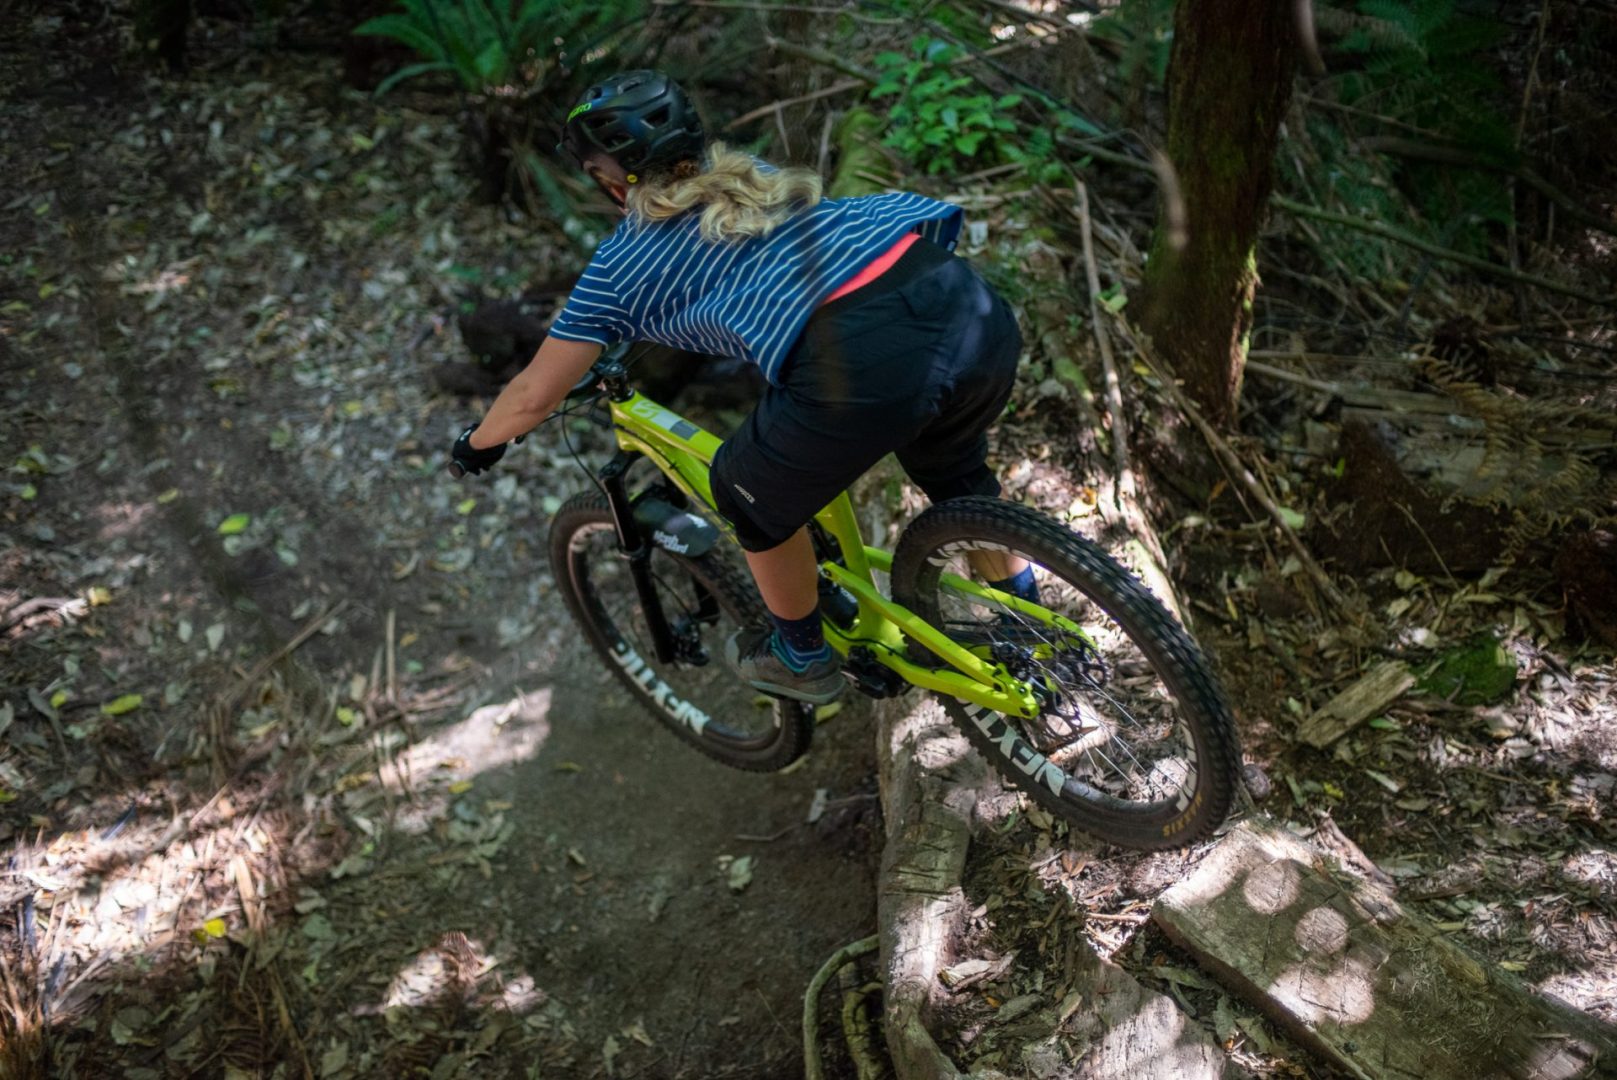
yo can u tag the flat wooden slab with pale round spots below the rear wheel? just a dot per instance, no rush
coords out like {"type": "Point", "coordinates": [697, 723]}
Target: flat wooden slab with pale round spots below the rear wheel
{"type": "Point", "coordinates": [1370, 987]}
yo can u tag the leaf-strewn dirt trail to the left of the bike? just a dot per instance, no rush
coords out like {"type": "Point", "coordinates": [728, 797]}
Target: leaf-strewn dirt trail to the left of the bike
{"type": "Point", "coordinates": [219, 282]}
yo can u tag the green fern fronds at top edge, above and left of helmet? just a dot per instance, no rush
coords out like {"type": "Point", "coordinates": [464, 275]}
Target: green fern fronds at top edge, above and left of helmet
{"type": "Point", "coordinates": [492, 44]}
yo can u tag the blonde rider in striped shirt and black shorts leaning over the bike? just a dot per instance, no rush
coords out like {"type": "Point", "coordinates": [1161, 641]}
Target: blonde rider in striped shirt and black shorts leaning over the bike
{"type": "Point", "coordinates": [872, 335]}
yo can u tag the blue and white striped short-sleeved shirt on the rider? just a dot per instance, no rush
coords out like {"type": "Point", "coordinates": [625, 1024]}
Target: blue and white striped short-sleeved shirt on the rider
{"type": "Point", "coordinates": [746, 298]}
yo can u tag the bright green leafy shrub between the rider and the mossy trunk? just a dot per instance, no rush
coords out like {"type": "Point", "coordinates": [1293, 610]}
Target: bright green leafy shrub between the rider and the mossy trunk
{"type": "Point", "coordinates": [947, 122]}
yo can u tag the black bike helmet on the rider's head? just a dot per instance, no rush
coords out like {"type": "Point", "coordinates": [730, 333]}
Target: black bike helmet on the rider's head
{"type": "Point", "coordinates": [640, 119]}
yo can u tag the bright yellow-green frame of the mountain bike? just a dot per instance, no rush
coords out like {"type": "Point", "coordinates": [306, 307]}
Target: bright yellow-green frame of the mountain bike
{"type": "Point", "coordinates": [685, 454]}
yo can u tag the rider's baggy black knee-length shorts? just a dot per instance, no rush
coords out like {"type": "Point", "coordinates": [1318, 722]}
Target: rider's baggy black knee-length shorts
{"type": "Point", "coordinates": [919, 363]}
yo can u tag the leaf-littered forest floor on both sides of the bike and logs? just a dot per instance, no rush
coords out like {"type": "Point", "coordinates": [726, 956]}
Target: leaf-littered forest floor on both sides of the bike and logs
{"type": "Point", "coordinates": [441, 837]}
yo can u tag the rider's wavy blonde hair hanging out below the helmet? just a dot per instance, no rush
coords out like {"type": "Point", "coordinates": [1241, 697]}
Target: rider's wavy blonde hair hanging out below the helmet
{"type": "Point", "coordinates": [737, 198]}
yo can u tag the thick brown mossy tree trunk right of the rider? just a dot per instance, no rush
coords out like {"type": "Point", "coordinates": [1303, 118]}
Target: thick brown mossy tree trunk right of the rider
{"type": "Point", "coordinates": [1230, 80]}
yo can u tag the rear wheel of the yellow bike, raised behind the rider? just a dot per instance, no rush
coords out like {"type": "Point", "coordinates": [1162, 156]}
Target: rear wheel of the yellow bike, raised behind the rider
{"type": "Point", "coordinates": [1134, 741]}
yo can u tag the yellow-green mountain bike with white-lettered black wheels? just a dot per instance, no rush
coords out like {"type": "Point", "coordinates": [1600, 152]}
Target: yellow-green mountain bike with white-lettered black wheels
{"type": "Point", "coordinates": [1094, 702]}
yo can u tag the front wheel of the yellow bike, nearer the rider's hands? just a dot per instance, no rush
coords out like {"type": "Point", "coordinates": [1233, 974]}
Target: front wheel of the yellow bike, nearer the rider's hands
{"type": "Point", "coordinates": [704, 601]}
